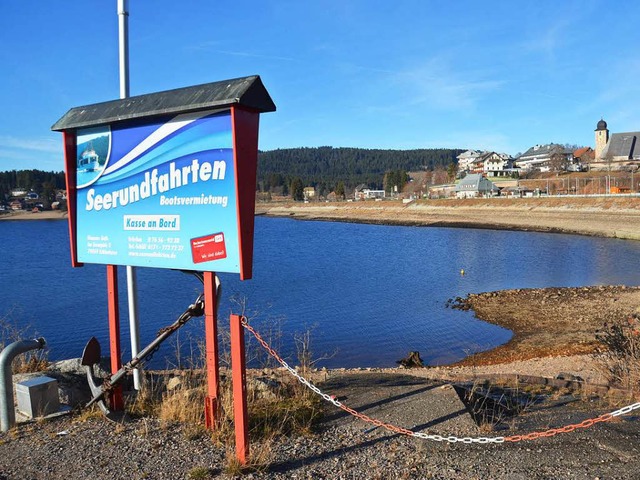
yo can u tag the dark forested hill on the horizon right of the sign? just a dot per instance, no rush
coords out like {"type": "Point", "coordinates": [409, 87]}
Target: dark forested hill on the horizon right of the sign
{"type": "Point", "coordinates": [327, 166]}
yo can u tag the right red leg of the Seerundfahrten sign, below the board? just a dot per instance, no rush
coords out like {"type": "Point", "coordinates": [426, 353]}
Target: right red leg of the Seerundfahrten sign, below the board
{"type": "Point", "coordinates": [211, 351]}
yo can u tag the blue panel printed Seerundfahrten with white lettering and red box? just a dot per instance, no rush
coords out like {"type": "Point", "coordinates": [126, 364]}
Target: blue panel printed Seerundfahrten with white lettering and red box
{"type": "Point", "coordinates": [159, 193]}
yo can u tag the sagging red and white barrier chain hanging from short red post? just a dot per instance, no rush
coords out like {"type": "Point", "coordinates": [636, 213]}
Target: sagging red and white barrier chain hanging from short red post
{"type": "Point", "coordinates": [436, 438]}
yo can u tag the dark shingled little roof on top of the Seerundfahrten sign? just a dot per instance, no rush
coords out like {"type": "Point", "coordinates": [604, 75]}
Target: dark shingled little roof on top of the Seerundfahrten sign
{"type": "Point", "coordinates": [247, 91]}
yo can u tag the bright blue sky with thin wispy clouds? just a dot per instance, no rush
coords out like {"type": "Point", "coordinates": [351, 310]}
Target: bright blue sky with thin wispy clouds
{"type": "Point", "coordinates": [499, 75]}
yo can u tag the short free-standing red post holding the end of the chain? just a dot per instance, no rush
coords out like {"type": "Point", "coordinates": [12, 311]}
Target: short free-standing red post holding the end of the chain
{"type": "Point", "coordinates": [238, 373]}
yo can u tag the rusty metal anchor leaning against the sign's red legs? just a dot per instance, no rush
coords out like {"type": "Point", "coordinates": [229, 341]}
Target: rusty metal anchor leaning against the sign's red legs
{"type": "Point", "coordinates": [92, 352]}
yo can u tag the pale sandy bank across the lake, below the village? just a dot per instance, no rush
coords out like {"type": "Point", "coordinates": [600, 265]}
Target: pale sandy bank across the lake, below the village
{"type": "Point", "coordinates": [617, 217]}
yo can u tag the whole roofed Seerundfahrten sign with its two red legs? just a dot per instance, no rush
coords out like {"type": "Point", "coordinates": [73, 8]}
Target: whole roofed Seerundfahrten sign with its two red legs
{"type": "Point", "coordinates": [166, 180]}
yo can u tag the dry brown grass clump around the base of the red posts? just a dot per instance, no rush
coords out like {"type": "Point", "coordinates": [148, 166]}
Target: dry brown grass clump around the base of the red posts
{"type": "Point", "coordinates": [276, 408]}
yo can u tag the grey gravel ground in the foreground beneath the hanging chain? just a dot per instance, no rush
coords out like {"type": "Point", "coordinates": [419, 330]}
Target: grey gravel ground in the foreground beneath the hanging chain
{"type": "Point", "coordinates": [343, 447]}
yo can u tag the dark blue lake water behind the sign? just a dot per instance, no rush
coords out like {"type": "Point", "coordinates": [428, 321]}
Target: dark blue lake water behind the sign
{"type": "Point", "coordinates": [369, 294]}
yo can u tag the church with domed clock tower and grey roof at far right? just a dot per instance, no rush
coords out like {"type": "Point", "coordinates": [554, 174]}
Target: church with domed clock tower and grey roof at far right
{"type": "Point", "coordinates": [615, 151]}
